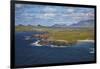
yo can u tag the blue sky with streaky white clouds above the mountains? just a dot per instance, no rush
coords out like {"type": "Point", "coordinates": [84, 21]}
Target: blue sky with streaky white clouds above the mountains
{"type": "Point", "coordinates": [47, 15]}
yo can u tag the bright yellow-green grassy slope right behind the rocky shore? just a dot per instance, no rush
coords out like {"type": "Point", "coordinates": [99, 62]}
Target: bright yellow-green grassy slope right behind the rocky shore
{"type": "Point", "coordinates": [72, 35]}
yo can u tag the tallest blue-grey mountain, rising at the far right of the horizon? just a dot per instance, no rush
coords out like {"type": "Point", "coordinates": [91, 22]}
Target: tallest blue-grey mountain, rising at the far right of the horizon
{"type": "Point", "coordinates": [85, 23]}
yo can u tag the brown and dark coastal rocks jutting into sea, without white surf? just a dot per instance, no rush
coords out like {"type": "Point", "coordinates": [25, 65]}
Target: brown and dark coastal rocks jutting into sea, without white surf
{"type": "Point", "coordinates": [44, 40]}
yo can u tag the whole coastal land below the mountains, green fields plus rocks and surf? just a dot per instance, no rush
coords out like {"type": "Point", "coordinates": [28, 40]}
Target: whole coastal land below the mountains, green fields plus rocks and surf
{"type": "Point", "coordinates": [57, 37]}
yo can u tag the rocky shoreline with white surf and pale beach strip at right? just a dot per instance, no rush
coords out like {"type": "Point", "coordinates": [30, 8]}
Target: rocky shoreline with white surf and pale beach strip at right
{"type": "Point", "coordinates": [43, 40]}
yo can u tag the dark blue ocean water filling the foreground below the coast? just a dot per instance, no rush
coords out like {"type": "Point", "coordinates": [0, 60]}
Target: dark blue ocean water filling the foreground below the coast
{"type": "Point", "coordinates": [27, 54]}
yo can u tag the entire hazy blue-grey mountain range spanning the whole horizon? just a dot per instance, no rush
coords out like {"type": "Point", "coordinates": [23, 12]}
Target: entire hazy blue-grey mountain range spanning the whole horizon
{"type": "Point", "coordinates": [85, 23]}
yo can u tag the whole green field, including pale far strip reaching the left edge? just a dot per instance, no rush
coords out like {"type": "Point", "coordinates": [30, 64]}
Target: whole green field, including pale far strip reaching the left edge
{"type": "Point", "coordinates": [68, 34]}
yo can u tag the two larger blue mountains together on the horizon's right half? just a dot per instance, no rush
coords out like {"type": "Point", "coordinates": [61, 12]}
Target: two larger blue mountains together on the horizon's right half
{"type": "Point", "coordinates": [85, 23]}
